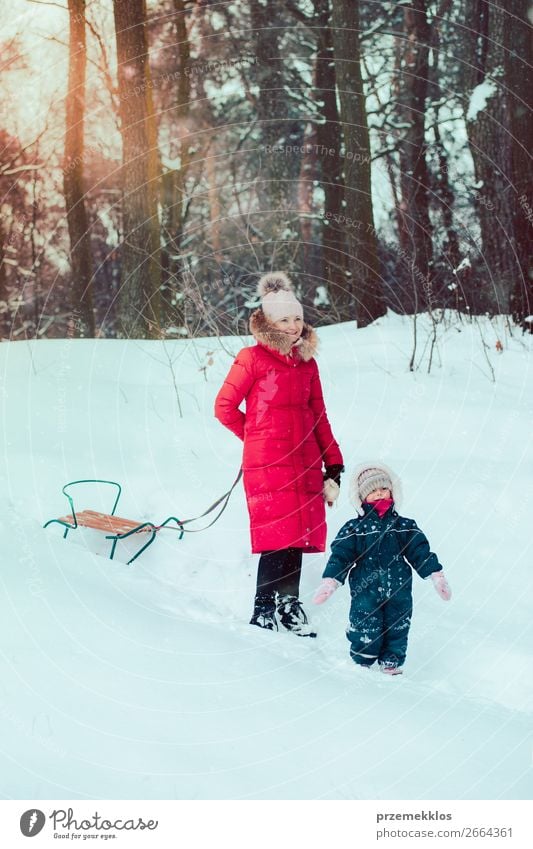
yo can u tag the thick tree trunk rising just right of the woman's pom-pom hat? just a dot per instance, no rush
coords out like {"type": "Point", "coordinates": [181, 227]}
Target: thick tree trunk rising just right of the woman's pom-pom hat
{"type": "Point", "coordinates": [360, 298]}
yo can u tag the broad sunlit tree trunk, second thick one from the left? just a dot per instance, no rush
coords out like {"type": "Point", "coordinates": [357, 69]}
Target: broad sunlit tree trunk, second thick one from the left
{"type": "Point", "coordinates": [139, 294]}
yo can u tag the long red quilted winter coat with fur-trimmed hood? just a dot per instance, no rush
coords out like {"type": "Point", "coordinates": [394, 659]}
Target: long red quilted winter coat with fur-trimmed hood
{"type": "Point", "coordinates": [287, 437]}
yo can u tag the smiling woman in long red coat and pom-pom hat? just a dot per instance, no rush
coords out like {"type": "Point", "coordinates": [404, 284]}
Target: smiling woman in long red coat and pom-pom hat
{"type": "Point", "coordinates": [287, 438]}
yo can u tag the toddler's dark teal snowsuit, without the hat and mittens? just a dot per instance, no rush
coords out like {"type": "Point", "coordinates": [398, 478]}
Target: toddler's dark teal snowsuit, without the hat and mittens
{"type": "Point", "coordinates": [377, 554]}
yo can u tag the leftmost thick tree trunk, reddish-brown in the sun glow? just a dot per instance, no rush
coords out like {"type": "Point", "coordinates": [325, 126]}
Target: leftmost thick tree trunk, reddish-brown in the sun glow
{"type": "Point", "coordinates": [78, 227]}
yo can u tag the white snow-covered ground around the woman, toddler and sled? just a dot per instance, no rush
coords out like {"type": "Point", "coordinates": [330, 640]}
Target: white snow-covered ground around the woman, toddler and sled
{"type": "Point", "coordinates": [145, 681]}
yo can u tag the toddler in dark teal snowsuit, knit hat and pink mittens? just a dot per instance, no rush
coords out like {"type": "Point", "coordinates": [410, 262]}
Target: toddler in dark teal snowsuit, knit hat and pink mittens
{"type": "Point", "coordinates": [376, 551]}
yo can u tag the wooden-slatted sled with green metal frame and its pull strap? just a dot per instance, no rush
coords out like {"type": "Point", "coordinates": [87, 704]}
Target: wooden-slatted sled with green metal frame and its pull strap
{"type": "Point", "coordinates": [117, 528]}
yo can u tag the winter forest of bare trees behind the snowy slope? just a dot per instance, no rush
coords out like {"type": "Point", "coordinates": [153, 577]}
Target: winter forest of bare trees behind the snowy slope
{"type": "Point", "coordinates": [156, 157]}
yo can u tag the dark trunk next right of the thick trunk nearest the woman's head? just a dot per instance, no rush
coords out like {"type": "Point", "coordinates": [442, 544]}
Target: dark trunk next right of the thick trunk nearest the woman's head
{"type": "Point", "coordinates": [415, 229]}
